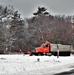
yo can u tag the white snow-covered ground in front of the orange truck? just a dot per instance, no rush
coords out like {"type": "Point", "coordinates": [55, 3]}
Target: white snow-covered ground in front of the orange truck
{"type": "Point", "coordinates": [29, 65]}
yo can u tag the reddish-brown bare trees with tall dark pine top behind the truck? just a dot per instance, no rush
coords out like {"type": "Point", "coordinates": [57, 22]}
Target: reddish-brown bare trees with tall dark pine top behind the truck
{"type": "Point", "coordinates": [55, 29]}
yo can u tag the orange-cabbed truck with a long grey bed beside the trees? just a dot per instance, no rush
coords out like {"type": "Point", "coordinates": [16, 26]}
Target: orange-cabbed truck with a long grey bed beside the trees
{"type": "Point", "coordinates": [52, 49]}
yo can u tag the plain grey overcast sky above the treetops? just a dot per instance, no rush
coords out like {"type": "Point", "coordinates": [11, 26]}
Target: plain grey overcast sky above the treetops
{"type": "Point", "coordinates": [27, 7]}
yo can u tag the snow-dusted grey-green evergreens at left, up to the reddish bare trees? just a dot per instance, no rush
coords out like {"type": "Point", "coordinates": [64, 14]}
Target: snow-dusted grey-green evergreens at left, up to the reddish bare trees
{"type": "Point", "coordinates": [11, 30]}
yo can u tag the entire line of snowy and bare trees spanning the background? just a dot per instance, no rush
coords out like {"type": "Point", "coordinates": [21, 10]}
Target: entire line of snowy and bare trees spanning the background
{"type": "Point", "coordinates": [18, 35]}
